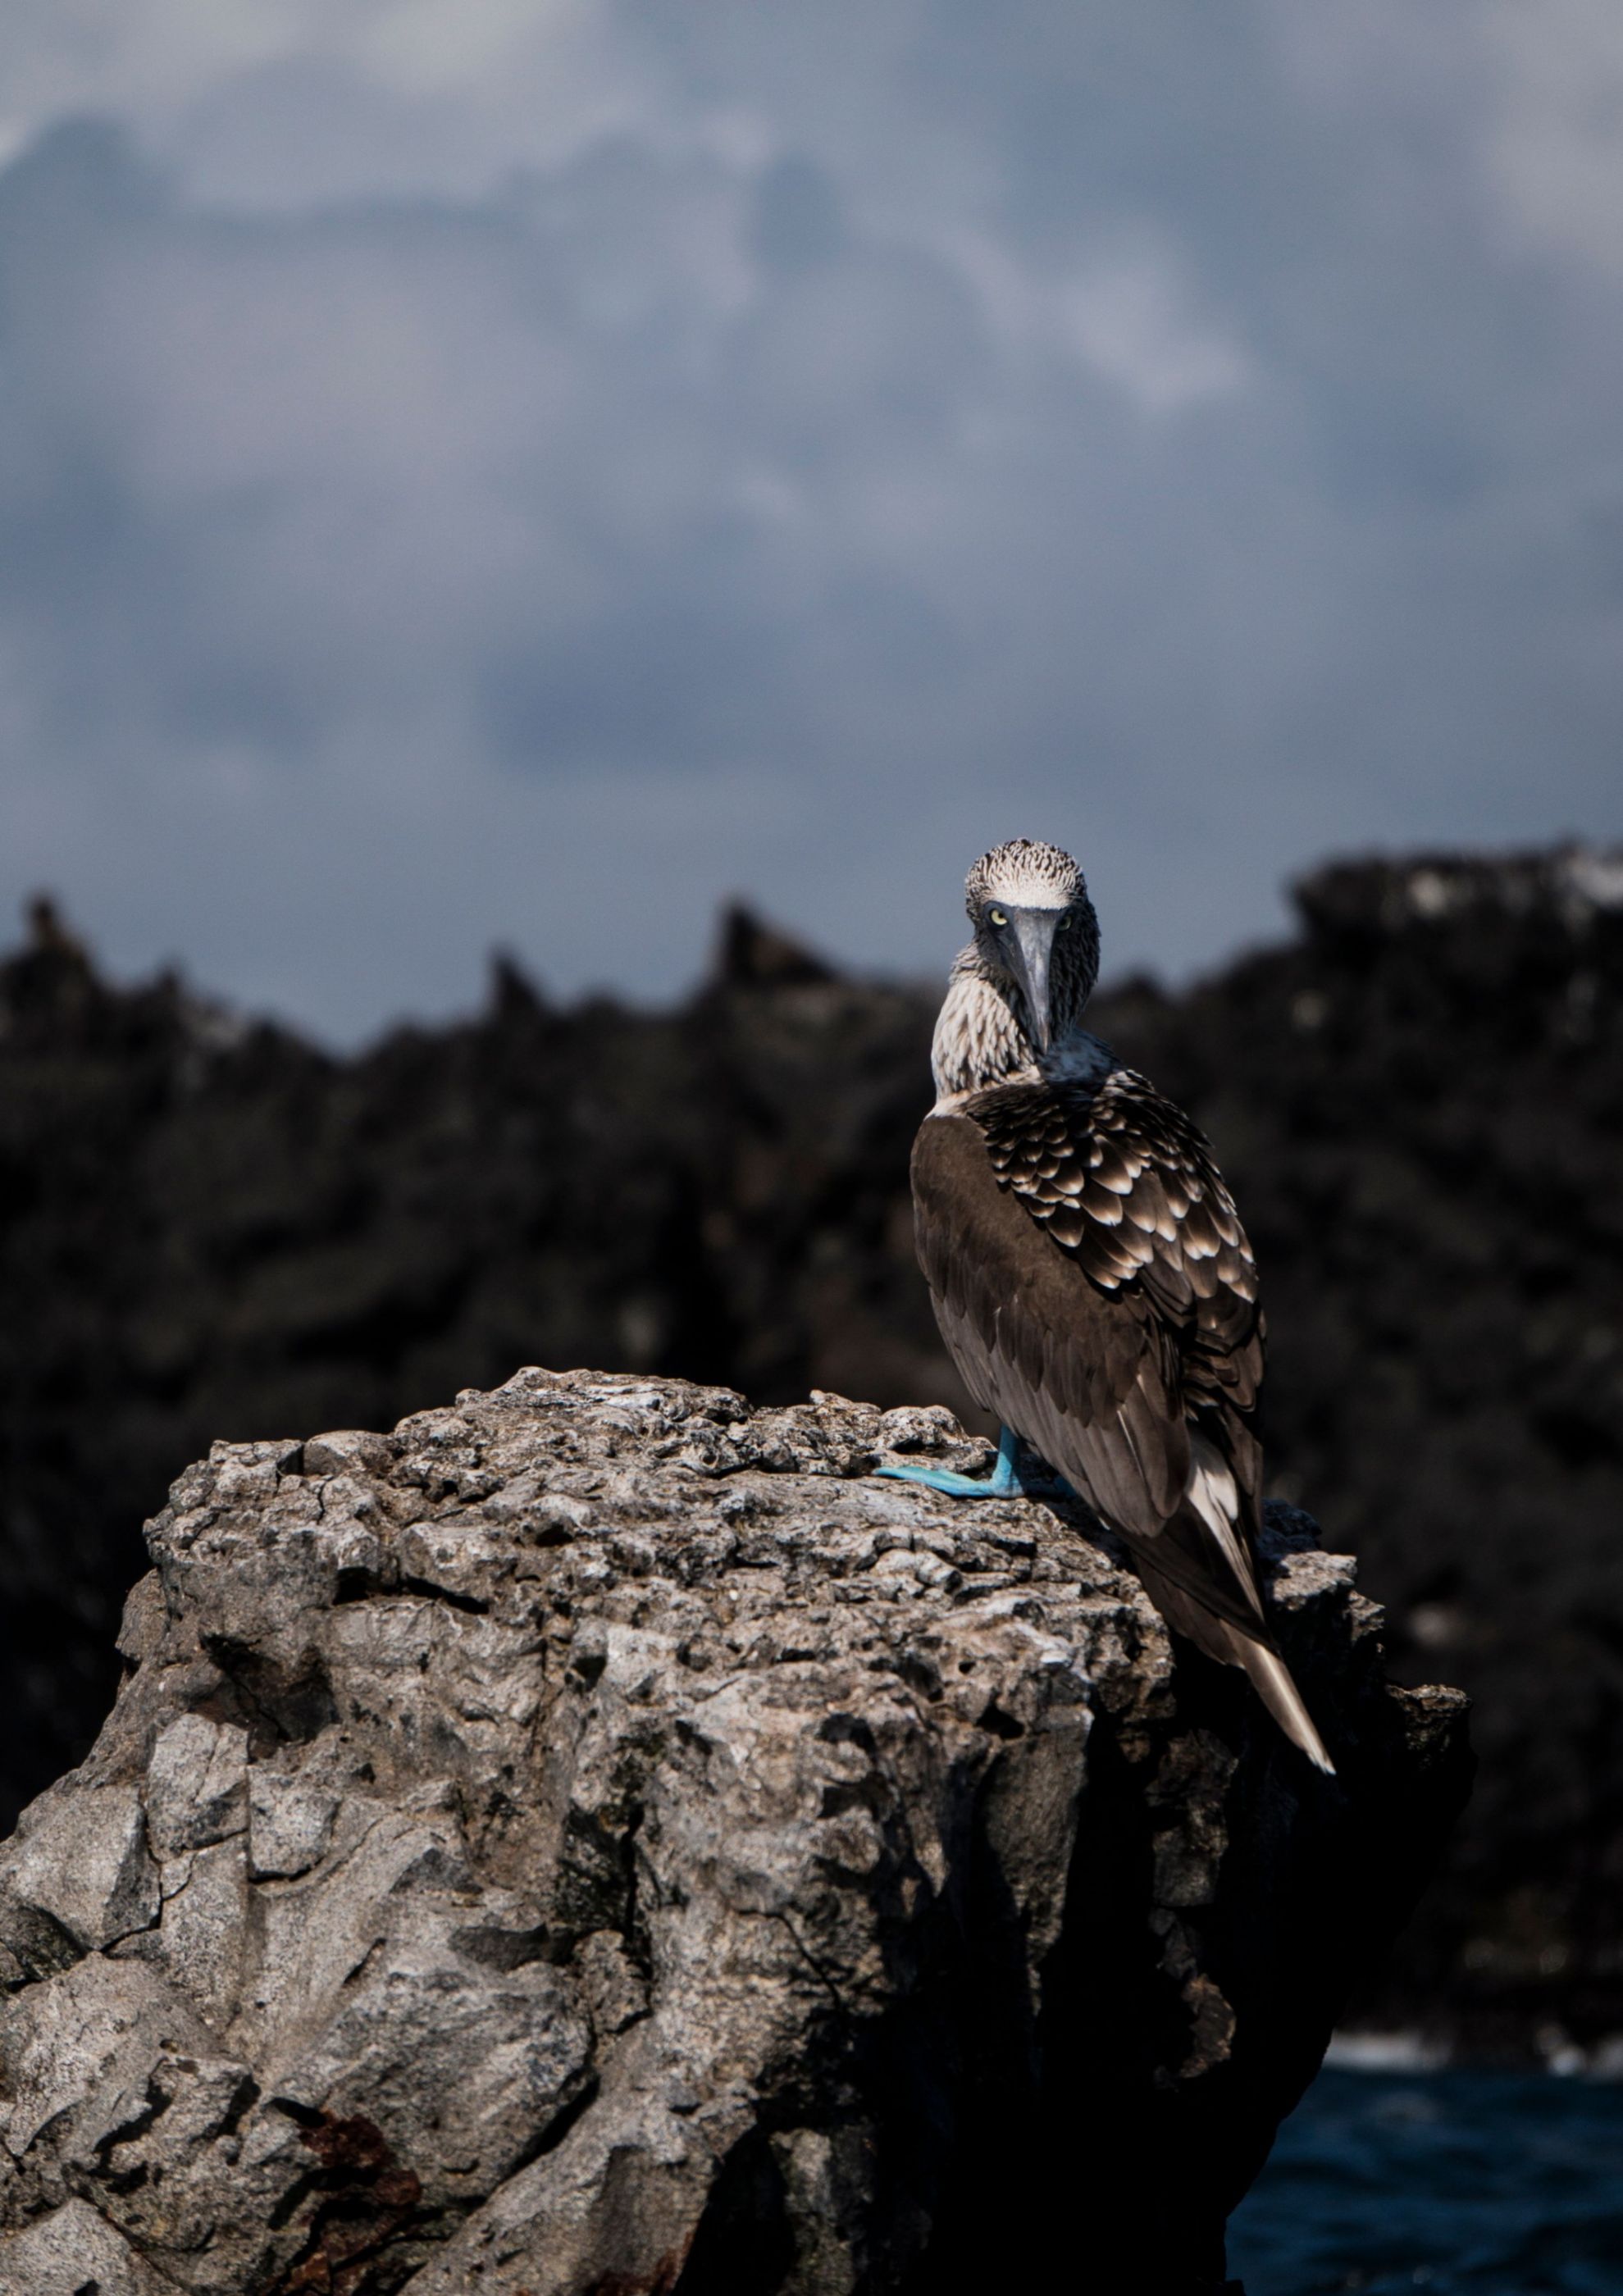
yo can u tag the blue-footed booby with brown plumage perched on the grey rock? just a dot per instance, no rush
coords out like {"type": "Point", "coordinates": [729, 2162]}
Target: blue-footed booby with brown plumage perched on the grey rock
{"type": "Point", "coordinates": [1089, 1271]}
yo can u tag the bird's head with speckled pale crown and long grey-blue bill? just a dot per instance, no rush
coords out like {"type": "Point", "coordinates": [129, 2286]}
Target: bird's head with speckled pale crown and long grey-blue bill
{"type": "Point", "coordinates": [1036, 936]}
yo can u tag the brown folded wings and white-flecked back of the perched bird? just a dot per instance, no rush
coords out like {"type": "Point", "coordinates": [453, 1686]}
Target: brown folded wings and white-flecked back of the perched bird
{"type": "Point", "coordinates": [1098, 1294]}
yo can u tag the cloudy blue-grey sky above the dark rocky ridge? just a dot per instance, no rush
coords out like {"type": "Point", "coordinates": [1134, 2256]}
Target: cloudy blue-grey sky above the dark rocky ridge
{"type": "Point", "coordinates": [522, 472]}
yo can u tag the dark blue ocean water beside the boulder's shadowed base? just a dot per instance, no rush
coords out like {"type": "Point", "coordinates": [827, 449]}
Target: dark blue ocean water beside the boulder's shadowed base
{"type": "Point", "coordinates": [1505, 2185]}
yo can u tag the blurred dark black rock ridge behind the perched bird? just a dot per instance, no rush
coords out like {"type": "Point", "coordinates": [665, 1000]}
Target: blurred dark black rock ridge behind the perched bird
{"type": "Point", "coordinates": [208, 1230]}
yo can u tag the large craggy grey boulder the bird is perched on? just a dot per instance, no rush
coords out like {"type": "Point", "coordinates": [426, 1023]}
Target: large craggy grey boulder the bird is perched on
{"type": "Point", "coordinates": [600, 1838]}
